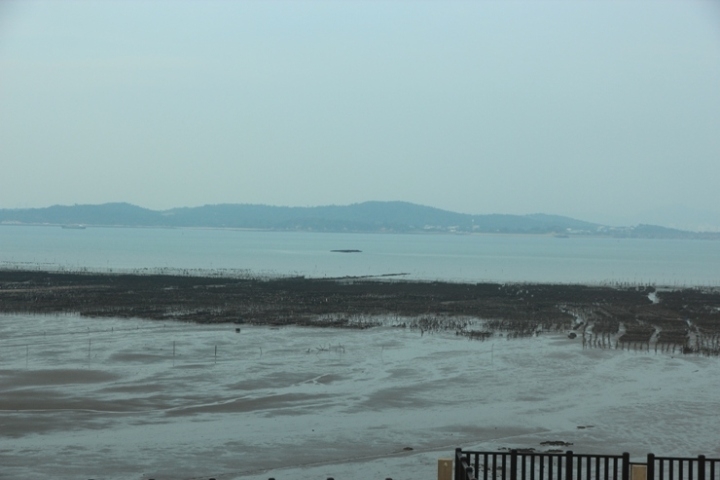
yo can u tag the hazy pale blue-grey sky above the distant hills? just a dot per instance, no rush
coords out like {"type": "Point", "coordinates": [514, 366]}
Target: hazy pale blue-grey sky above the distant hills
{"type": "Point", "coordinates": [605, 111]}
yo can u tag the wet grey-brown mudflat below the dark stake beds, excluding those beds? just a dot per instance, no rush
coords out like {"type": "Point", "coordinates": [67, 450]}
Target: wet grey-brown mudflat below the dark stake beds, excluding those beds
{"type": "Point", "coordinates": [127, 398]}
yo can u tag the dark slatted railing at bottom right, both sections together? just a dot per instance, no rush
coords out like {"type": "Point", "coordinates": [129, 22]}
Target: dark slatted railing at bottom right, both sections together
{"type": "Point", "coordinates": [522, 465]}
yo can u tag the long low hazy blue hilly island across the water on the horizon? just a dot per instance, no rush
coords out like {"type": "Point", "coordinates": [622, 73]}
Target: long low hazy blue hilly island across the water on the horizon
{"type": "Point", "coordinates": [367, 217]}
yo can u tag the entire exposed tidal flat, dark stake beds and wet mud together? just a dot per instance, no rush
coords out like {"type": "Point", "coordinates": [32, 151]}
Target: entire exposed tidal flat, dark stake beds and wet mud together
{"type": "Point", "coordinates": [179, 377]}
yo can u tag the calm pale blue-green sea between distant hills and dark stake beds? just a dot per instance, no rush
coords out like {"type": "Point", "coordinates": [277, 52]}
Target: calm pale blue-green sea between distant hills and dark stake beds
{"type": "Point", "coordinates": [504, 258]}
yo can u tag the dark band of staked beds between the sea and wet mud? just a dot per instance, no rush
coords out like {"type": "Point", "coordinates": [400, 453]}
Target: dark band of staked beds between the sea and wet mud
{"type": "Point", "coordinates": [644, 317]}
